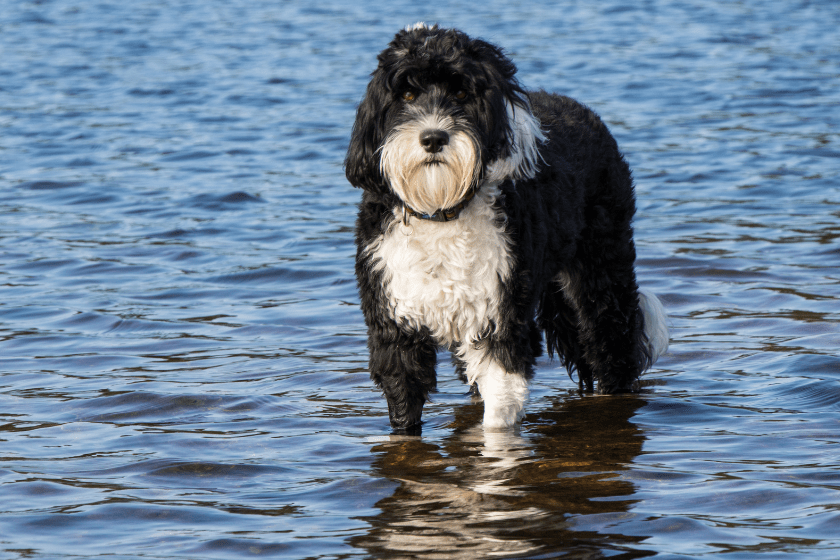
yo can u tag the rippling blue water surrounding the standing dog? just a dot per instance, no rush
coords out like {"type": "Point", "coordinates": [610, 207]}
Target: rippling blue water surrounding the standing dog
{"type": "Point", "coordinates": [183, 363]}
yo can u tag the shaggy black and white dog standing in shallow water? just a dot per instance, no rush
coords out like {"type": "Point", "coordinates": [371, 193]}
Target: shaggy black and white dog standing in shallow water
{"type": "Point", "coordinates": [490, 214]}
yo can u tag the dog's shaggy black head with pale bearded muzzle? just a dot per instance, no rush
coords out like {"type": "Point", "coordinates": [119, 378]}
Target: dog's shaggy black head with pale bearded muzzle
{"type": "Point", "coordinates": [442, 113]}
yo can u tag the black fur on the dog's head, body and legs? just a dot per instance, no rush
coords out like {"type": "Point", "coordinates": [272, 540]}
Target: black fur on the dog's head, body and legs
{"type": "Point", "coordinates": [571, 220]}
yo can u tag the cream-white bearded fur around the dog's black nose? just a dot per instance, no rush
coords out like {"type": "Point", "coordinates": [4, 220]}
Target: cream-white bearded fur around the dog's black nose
{"type": "Point", "coordinates": [425, 186]}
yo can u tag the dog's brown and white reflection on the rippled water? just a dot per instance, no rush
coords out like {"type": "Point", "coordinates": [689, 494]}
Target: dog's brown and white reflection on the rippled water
{"type": "Point", "coordinates": [479, 494]}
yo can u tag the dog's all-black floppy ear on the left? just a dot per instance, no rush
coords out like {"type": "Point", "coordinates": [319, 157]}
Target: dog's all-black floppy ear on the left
{"type": "Point", "coordinates": [362, 162]}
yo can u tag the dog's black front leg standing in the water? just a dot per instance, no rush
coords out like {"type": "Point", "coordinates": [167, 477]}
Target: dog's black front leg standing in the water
{"type": "Point", "coordinates": [404, 368]}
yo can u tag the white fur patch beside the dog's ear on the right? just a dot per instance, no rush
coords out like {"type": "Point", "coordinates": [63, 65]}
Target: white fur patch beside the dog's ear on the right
{"type": "Point", "coordinates": [524, 158]}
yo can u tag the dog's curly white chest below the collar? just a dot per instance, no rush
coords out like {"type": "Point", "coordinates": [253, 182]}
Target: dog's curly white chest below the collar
{"type": "Point", "coordinates": [446, 276]}
